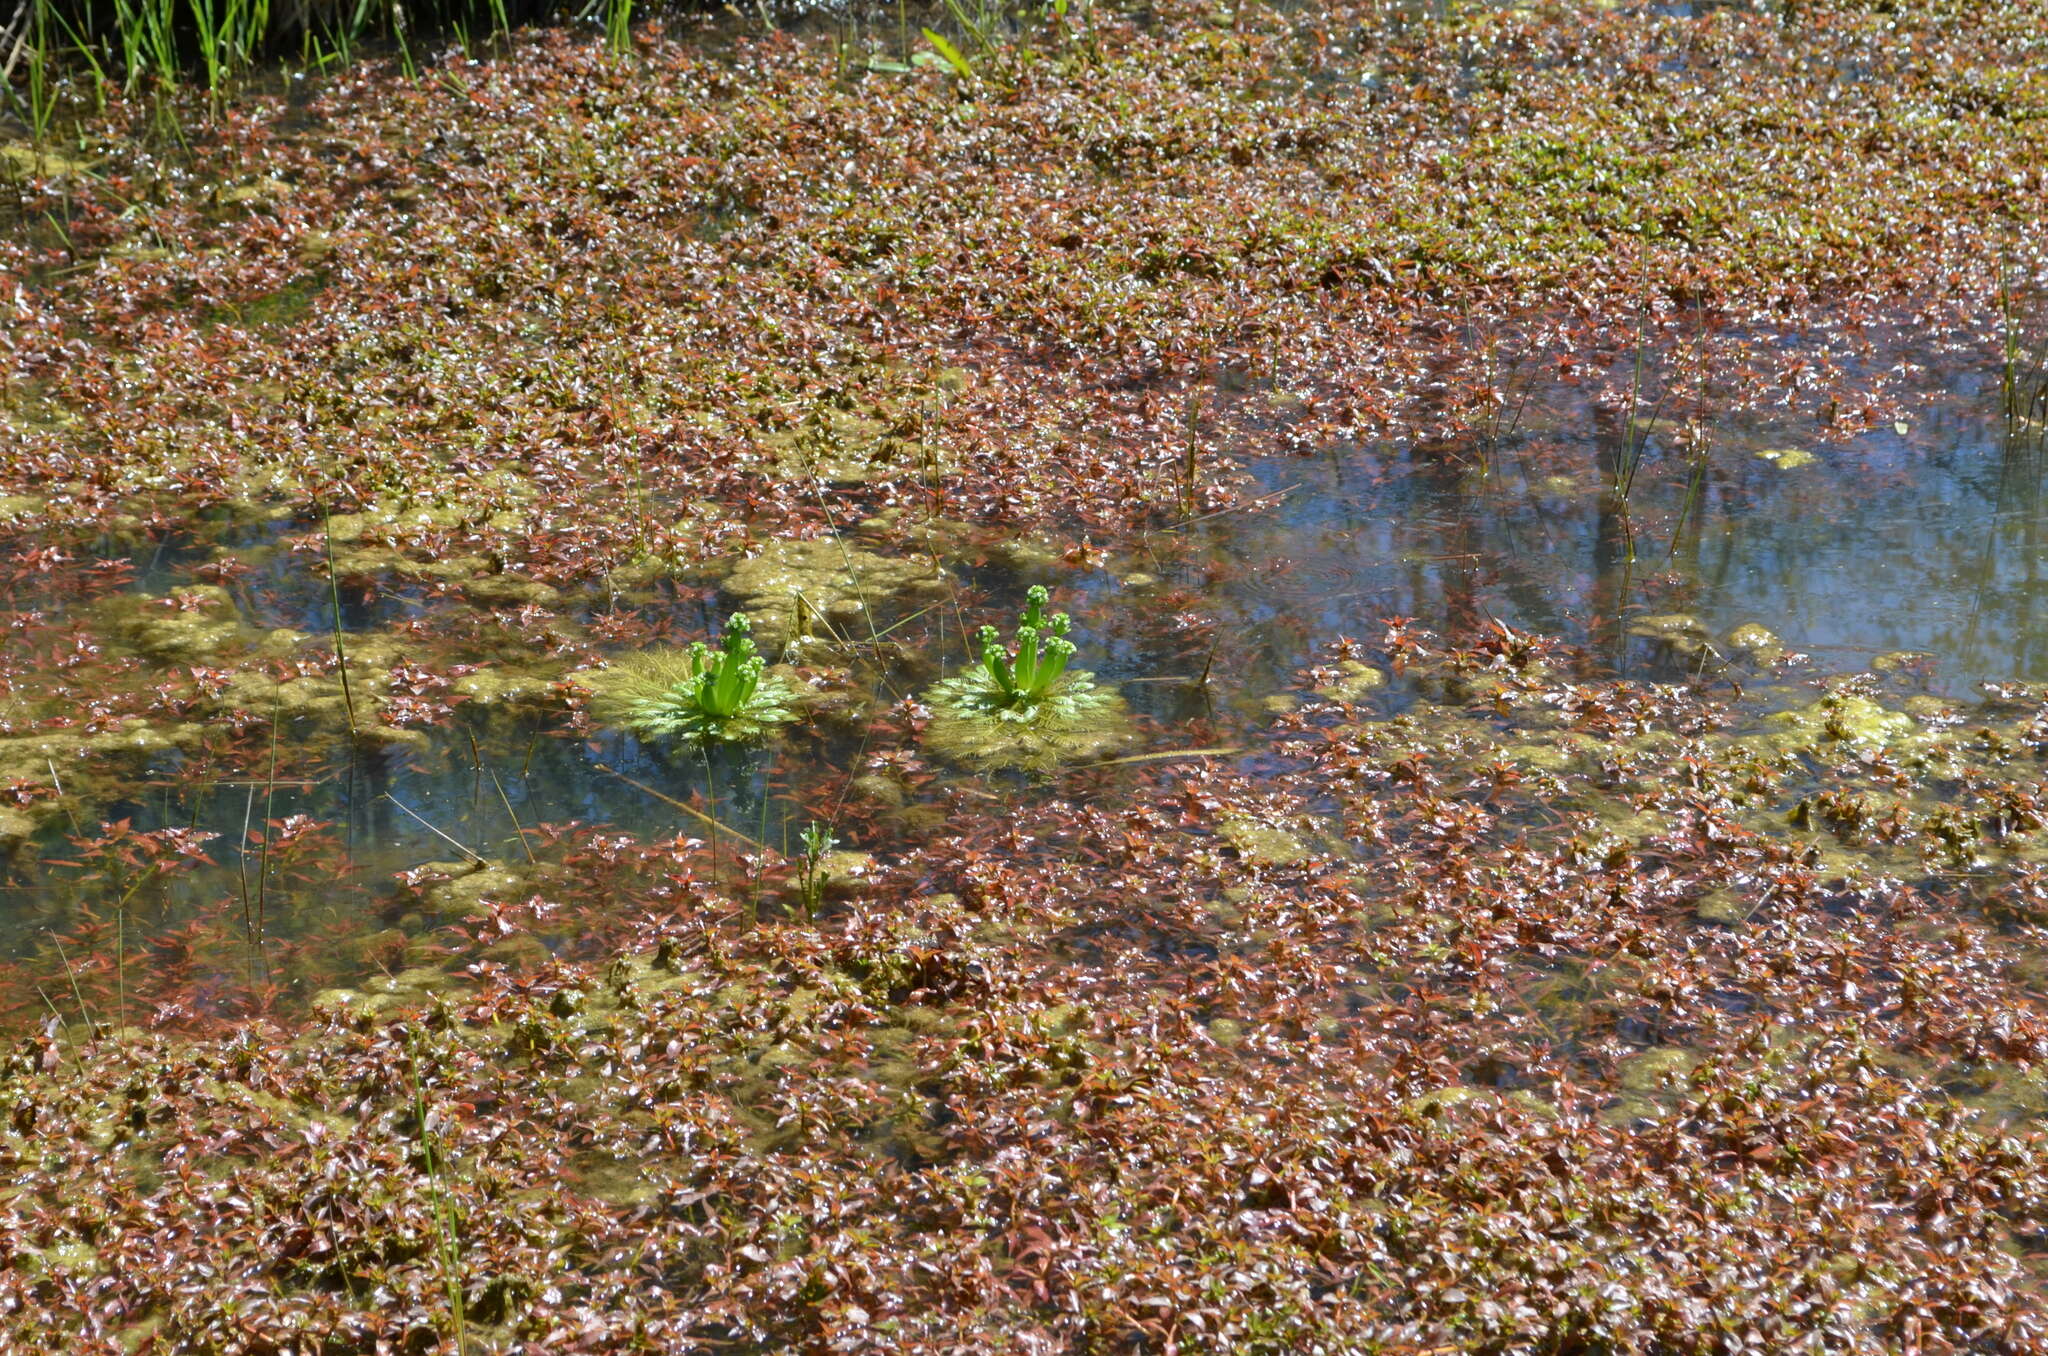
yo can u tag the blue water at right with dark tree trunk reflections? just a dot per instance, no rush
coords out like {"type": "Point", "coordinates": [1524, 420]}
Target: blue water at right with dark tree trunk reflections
{"type": "Point", "coordinates": [1916, 538]}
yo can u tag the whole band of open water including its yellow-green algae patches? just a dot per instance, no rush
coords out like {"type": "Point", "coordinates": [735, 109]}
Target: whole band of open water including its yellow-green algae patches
{"type": "Point", "coordinates": [1914, 548]}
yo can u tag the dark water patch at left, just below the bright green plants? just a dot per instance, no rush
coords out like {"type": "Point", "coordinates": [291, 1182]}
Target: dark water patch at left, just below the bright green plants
{"type": "Point", "coordinates": [310, 853]}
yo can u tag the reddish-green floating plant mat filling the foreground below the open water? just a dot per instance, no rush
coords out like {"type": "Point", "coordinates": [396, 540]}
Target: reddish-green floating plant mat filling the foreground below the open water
{"type": "Point", "coordinates": [1691, 1023]}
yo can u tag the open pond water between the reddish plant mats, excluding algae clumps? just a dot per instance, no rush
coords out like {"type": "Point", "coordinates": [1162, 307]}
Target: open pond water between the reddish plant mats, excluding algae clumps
{"type": "Point", "coordinates": [1914, 546]}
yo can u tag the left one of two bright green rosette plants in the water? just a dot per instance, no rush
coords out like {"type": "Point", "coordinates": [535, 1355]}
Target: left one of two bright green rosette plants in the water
{"type": "Point", "coordinates": [695, 695]}
